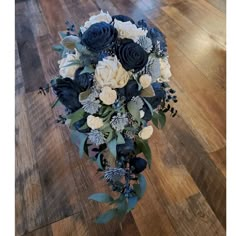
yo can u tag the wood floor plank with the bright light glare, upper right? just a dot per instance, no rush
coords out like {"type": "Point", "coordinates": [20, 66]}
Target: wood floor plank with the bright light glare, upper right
{"type": "Point", "coordinates": [200, 49]}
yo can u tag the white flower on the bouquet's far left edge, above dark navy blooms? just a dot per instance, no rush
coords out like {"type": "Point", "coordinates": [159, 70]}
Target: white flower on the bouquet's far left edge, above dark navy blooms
{"type": "Point", "coordinates": [67, 70]}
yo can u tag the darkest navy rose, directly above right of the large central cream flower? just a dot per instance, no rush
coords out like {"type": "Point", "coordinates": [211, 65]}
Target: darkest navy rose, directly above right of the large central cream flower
{"type": "Point", "coordinates": [131, 55]}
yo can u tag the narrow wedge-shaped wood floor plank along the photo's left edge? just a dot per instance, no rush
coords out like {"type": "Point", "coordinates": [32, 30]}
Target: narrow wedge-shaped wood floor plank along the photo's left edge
{"type": "Point", "coordinates": [29, 205]}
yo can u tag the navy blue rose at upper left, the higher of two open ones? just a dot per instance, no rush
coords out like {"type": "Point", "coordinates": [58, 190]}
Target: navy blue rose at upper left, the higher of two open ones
{"type": "Point", "coordinates": [99, 36]}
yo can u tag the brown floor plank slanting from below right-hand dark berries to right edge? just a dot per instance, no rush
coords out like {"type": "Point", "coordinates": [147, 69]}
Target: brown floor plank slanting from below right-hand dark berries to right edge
{"type": "Point", "coordinates": [200, 166]}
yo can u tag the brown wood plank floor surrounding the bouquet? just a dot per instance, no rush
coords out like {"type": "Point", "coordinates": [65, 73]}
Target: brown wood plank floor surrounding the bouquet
{"type": "Point", "coordinates": [186, 185]}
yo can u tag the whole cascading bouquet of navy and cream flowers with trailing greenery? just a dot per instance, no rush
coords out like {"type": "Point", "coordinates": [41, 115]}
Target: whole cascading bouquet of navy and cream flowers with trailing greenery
{"type": "Point", "coordinates": [112, 81]}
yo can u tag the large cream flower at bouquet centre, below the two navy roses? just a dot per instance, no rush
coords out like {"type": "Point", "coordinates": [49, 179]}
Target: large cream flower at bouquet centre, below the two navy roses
{"type": "Point", "coordinates": [109, 72]}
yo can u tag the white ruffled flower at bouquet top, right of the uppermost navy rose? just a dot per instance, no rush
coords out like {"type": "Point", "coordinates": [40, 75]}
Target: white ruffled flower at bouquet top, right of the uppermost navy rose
{"type": "Point", "coordinates": [129, 30]}
